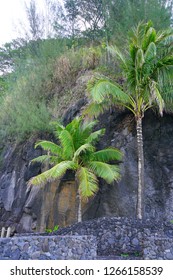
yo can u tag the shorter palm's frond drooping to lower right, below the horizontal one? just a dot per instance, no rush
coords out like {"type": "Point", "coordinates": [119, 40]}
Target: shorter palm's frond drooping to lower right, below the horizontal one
{"type": "Point", "coordinates": [106, 171]}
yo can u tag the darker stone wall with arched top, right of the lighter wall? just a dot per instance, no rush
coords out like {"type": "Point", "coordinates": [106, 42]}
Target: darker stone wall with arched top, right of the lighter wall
{"type": "Point", "coordinates": [126, 238]}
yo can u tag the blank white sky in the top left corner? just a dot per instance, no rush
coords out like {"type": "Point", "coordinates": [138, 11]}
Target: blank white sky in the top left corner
{"type": "Point", "coordinates": [12, 12]}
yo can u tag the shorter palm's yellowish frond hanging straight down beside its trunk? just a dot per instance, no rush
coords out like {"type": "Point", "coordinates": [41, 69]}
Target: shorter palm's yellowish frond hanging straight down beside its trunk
{"type": "Point", "coordinates": [88, 183]}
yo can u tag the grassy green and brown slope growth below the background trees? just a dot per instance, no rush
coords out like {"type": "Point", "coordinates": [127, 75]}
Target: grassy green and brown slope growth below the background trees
{"type": "Point", "coordinates": [39, 89]}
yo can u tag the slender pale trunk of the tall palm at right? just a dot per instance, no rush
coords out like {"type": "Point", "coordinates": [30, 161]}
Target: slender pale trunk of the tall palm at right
{"type": "Point", "coordinates": [140, 198]}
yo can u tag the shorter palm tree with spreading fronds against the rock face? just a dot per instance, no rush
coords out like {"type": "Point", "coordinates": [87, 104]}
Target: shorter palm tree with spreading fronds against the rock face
{"type": "Point", "coordinates": [77, 152]}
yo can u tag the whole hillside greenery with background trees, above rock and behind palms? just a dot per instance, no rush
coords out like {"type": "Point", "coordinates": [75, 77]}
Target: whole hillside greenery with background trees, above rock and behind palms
{"type": "Point", "coordinates": [39, 74]}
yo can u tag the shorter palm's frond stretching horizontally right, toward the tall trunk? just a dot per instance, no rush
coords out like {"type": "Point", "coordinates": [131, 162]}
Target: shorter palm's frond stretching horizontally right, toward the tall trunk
{"type": "Point", "coordinates": [107, 155]}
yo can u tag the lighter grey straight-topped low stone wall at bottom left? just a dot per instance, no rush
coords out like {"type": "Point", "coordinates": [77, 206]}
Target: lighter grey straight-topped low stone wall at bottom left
{"type": "Point", "coordinates": [48, 248]}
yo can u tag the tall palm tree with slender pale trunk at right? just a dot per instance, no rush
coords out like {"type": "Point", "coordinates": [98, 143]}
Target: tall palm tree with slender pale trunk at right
{"type": "Point", "coordinates": [147, 72]}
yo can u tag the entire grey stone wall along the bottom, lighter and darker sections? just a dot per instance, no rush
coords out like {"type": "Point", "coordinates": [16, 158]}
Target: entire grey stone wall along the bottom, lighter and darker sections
{"type": "Point", "coordinates": [116, 237]}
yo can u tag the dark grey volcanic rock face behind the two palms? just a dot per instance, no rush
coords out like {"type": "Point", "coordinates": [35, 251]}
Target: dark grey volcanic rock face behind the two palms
{"type": "Point", "coordinates": [34, 209]}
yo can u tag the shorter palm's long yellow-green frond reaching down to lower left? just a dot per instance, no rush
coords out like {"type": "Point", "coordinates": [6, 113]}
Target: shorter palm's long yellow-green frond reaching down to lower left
{"type": "Point", "coordinates": [52, 174]}
